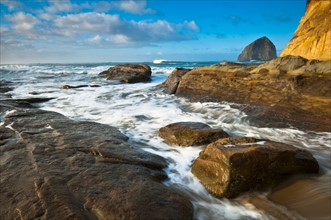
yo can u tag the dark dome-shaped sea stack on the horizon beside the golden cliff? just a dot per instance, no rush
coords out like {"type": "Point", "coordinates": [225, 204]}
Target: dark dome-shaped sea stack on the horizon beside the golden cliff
{"type": "Point", "coordinates": [262, 50]}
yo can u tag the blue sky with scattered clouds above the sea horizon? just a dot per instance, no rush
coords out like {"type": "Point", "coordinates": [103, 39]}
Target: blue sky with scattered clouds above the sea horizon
{"type": "Point", "coordinates": [77, 31]}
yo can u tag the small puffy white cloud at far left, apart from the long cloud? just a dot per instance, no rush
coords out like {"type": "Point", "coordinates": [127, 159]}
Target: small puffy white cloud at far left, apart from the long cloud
{"type": "Point", "coordinates": [22, 21]}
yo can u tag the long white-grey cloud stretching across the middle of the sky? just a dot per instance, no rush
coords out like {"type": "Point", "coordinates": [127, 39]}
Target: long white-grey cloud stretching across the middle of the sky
{"type": "Point", "coordinates": [121, 31]}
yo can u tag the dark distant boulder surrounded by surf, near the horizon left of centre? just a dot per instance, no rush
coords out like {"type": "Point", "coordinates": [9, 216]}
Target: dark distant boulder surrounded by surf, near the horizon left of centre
{"type": "Point", "coordinates": [129, 73]}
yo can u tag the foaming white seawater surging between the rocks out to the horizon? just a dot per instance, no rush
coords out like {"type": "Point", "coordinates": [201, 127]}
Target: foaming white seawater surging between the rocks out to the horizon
{"type": "Point", "coordinates": [140, 110]}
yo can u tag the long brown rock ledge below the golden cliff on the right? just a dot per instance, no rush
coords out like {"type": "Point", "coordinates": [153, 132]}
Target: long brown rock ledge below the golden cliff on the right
{"type": "Point", "coordinates": [287, 91]}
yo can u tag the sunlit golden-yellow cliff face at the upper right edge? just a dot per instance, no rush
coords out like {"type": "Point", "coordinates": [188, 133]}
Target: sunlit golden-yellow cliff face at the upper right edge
{"type": "Point", "coordinates": [312, 39]}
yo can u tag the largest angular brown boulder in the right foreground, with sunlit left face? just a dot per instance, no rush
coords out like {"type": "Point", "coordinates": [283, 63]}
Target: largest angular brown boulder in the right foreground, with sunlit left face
{"type": "Point", "coordinates": [228, 171]}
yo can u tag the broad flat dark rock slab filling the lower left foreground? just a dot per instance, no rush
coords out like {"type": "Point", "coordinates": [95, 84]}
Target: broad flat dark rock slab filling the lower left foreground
{"type": "Point", "coordinates": [56, 168]}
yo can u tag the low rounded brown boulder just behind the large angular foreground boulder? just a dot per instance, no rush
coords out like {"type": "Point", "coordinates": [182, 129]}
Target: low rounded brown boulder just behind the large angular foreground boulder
{"type": "Point", "coordinates": [190, 133]}
